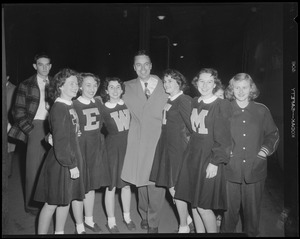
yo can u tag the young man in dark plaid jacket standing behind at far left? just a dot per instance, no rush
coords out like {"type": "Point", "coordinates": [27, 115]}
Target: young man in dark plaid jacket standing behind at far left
{"type": "Point", "coordinates": [30, 111]}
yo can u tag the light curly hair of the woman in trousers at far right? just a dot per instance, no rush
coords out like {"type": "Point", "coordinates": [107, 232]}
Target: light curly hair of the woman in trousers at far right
{"type": "Point", "coordinates": [254, 92]}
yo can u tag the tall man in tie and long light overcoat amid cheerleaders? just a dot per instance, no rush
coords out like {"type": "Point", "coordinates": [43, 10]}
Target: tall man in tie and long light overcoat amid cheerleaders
{"type": "Point", "coordinates": [145, 98]}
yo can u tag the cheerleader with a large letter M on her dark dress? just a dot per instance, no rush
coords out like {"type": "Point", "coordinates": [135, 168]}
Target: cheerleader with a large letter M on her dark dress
{"type": "Point", "coordinates": [201, 180]}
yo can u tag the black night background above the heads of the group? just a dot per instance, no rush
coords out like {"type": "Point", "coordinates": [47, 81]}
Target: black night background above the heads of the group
{"type": "Point", "coordinates": [102, 38]}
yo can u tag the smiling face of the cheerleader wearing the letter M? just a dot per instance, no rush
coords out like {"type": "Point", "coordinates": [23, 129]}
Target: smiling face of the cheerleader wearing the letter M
{"type": "Point", "coordinates": [206, 84]}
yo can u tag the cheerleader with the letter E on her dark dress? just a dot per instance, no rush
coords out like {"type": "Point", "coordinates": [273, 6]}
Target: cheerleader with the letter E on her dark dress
{"type": "Point", "coordinates": [91, 144]}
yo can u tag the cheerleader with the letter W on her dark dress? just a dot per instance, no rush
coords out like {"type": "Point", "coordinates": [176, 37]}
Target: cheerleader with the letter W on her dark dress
{"type": "Point", "coordinates": [116, 121]}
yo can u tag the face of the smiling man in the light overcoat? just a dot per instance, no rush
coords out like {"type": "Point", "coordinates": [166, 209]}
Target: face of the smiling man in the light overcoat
{"type": "Point", "coordinates": [142, 66]}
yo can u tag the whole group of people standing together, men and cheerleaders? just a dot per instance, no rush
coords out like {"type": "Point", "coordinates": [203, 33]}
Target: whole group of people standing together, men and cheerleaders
{"type": "Point", "coordinates": [208, 152]}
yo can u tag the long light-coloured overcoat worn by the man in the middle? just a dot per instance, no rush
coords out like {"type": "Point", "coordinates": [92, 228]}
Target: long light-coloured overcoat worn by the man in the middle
{"type": "Point", "coordinates": [144, 131]}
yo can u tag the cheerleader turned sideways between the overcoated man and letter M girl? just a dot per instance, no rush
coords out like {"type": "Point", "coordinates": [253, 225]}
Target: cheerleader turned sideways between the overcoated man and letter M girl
{"type": "Point", "coordinates": [176, 129]}
